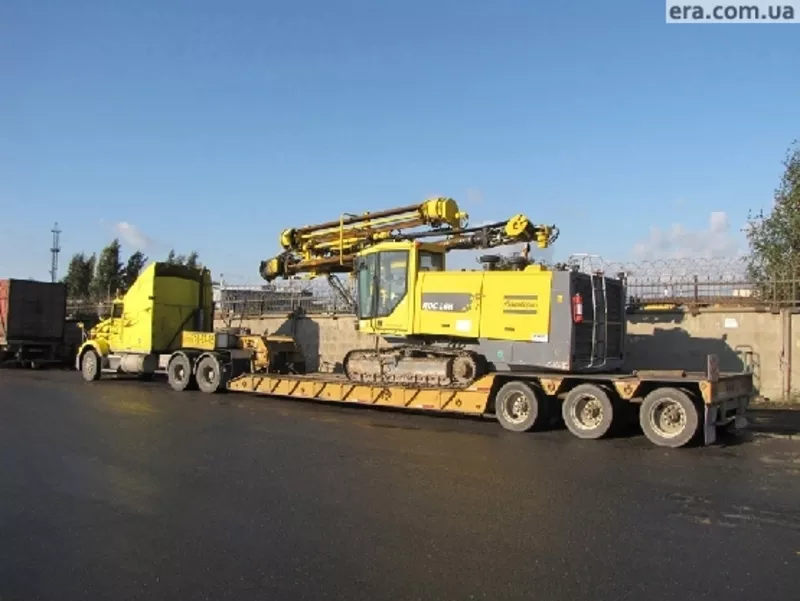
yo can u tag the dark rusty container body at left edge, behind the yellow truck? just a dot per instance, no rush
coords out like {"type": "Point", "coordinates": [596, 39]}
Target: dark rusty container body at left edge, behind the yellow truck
{"type": "Point", "coordinates": [32, 312]}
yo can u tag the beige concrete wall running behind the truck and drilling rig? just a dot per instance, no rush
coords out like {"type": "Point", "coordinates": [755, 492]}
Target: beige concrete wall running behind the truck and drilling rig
{"type": "Point", "coordinates": [761, 342]}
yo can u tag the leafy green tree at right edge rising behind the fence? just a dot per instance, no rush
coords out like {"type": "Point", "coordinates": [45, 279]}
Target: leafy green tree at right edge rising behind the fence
{"type": "Point", "coordinates": [774, 261]}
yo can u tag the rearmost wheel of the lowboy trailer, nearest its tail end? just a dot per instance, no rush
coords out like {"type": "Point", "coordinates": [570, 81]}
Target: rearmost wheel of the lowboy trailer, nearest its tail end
{"type": "Point", "coordinates": [669, 417]}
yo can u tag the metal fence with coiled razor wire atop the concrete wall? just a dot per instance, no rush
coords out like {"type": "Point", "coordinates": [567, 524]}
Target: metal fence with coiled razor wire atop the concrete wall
{"type": "Point", "coordinates": [668, 282]}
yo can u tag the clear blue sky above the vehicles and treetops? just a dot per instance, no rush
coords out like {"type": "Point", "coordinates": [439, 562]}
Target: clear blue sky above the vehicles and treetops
{"type": "Point", "coordinates": [213, 125]}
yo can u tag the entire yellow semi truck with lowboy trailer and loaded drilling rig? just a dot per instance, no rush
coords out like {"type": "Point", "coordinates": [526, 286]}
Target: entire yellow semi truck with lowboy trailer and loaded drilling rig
{"type": "Point", "coordinates": [516, 340]}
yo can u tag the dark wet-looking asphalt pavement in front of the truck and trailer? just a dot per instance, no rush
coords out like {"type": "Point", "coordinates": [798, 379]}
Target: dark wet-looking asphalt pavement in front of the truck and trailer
{"type": "Point", "coordinates": [126, 490]}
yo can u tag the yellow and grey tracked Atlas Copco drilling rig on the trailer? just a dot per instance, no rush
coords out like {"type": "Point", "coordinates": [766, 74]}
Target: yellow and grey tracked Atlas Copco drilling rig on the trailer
{"type": "Point", "coordinates": [449, 328]}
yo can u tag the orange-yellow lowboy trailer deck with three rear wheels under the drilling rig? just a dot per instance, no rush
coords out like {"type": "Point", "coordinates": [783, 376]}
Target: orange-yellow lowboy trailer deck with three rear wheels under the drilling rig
{"type": "Point", "coordinates": [701, 400]}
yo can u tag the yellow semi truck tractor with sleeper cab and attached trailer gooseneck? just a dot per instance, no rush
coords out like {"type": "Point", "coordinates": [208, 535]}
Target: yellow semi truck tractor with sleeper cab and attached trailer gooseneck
{"type": "Point", "coordinates": [164, 324]}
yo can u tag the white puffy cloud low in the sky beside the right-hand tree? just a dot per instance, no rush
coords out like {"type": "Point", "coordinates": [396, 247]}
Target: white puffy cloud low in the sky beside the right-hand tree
{"type": "Point", "coordinates": [715, 241]}
